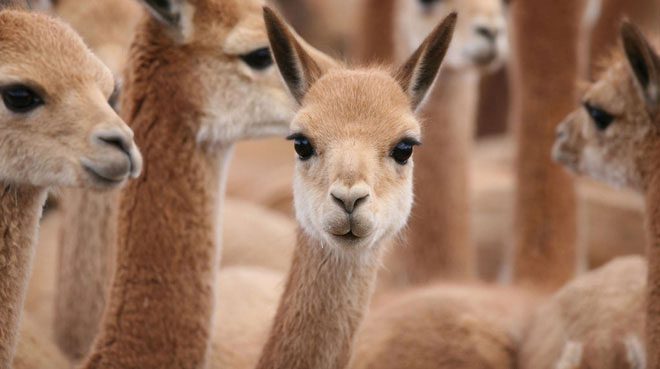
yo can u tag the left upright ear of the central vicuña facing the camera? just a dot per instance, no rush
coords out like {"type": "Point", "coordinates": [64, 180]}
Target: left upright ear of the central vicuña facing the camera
{"type": "Point", "coordinates": [298, 68]}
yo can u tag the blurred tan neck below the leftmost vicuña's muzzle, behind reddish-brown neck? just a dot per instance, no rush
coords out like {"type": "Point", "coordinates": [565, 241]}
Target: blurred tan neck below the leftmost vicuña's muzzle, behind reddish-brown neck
{"type": "Point", "coordinates": [85, 265]}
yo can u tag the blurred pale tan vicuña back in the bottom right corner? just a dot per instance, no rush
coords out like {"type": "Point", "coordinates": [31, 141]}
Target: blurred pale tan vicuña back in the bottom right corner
{"type": "Point", "coordinates": [599, 312]}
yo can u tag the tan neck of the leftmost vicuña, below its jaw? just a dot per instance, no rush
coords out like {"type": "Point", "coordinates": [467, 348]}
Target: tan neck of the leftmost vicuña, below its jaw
{"type": "Point", "coordinates": [20, 210]}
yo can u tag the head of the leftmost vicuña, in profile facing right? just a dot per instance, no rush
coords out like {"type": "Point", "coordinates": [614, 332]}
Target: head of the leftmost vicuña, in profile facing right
{"type": "Point", "coordinates": [56, 126]}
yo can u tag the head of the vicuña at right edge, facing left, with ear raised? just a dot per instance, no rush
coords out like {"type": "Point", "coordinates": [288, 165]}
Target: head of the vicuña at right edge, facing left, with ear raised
{"type": "Point", "coordinates": [611, 135]}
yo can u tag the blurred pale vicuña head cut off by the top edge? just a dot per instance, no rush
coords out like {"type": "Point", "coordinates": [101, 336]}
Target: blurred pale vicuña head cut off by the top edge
{"type": "Point", "coordinates": [480, 38]}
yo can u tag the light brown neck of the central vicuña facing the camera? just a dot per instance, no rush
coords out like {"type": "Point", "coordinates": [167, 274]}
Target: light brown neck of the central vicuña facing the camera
{"type": "Point", "coordinates": [324, 301]}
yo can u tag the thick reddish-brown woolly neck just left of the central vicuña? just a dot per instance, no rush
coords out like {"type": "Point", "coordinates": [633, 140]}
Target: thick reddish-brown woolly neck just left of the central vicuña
{"type": "Point", "coordinates": [160, 306]}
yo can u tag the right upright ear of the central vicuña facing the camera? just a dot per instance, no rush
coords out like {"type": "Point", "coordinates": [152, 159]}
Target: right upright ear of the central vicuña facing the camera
{"type": "Point", "coordinates": [418, 73]}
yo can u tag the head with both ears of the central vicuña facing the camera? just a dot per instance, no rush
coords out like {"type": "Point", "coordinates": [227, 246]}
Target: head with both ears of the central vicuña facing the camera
{"type": "Point", "coordinates": [354, 135]}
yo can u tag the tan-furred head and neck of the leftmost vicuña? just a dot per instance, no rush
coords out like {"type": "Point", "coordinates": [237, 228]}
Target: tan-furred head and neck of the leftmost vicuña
{"type": "Point", "coordinates": [59, 143]}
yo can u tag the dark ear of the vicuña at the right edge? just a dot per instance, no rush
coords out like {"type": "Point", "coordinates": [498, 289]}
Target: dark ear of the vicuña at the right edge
{"type": "Point", "coordinates": [644, 63]}
